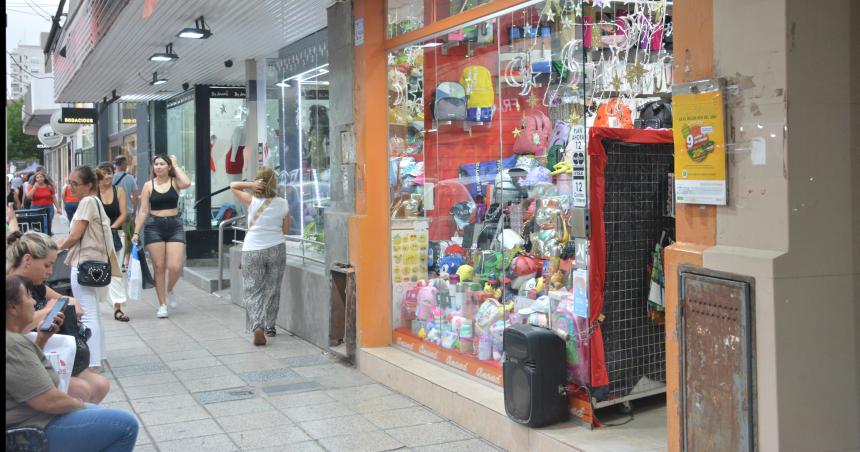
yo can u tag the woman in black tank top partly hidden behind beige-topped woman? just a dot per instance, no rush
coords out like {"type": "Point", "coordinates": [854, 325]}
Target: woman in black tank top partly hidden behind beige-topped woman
{"type": "Point", "coordinates": [113, 199]}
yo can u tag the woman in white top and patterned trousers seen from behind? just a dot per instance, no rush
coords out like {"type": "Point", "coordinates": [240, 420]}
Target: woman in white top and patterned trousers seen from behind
{"type": "Point", "coordinates": [264, 252]}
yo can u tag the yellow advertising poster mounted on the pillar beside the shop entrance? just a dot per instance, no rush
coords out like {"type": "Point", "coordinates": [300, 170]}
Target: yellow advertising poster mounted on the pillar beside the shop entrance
{"type": "Point", "coordinates": [700, 151]}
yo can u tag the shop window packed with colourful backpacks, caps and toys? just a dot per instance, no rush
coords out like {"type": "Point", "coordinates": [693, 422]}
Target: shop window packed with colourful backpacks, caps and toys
{"type": "Point", "coordinates": [488, 129]}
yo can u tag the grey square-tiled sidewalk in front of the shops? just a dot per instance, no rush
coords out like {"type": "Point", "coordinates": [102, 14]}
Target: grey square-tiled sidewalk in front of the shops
{"type": "Point", "coordinates": [196, 383]}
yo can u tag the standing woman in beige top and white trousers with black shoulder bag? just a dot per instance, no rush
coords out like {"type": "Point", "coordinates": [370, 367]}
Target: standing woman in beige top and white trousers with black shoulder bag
{"type": "Point", "coordinates": [89, 240]}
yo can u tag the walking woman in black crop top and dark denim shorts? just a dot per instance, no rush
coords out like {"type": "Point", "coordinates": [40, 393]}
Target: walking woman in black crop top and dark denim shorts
{"type": "Point", "coordinates": [163, 235]}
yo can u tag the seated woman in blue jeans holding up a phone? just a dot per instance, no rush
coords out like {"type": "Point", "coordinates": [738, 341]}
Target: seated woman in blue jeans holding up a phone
{"type": "Point", "coordinates": [32, 397]}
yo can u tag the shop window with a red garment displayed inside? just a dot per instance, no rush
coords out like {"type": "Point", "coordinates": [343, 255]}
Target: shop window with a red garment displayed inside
{"type": "Point", "coordinates": [227, 147]}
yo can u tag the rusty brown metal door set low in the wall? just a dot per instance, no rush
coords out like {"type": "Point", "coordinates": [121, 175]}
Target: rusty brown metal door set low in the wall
{"type": "Point", "coordinates": [717, 373]}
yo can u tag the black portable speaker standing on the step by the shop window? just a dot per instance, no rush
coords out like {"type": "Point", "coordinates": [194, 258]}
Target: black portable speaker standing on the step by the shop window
{"type": "Point", "coordinates": [535, 376]}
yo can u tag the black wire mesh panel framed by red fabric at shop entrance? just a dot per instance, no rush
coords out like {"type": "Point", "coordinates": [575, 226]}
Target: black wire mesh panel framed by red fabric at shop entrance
{"type": "Point", "coordinates": [633, 219]}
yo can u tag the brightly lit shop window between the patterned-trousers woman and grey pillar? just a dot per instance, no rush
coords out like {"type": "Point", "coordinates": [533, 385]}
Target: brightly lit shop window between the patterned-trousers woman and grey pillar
{"type": "Point", "coordinates": [298, 144]}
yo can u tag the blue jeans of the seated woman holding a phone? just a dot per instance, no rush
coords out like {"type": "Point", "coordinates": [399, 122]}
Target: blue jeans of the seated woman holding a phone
{"type": "Point", "coordinates": [92, 429]}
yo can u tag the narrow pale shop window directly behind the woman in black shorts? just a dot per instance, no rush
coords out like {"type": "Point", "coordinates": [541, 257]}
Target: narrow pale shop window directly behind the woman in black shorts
{"type": "Point", "coordinates": [180, 142]}
